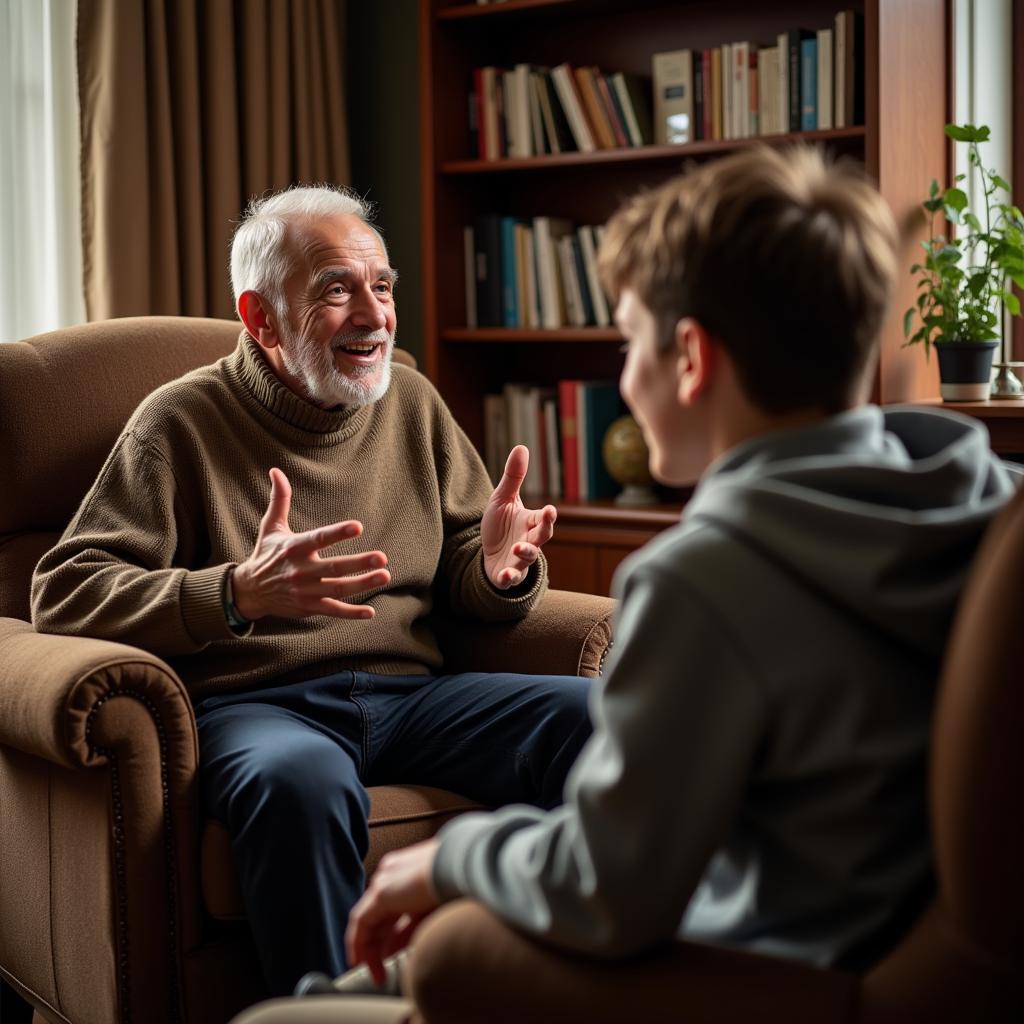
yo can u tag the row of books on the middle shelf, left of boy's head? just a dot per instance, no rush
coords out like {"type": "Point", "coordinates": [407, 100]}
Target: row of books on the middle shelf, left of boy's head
{"type": "Point", "coordinates": [539, 274]}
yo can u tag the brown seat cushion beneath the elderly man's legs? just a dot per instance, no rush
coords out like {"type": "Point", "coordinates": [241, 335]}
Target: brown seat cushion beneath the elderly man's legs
{"type": "Point", "coordinates": [400, 816]}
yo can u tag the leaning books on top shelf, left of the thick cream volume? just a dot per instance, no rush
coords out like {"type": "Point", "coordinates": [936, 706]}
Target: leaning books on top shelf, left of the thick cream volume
{"type": "Point", "coordinates": [531, 111]}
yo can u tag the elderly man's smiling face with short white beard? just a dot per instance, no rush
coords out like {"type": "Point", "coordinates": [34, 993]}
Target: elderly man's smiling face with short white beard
{"type": "Point", "coordinates": [339, 334]}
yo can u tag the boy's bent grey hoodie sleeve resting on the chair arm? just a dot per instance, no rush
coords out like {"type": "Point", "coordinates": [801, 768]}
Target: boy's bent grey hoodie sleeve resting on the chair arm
{"type": "Point", "coordinates": [676, 724]}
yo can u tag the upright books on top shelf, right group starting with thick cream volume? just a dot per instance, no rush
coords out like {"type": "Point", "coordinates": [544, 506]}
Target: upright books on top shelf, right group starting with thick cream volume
{"type": "Point", "coordinates": [809, 80]}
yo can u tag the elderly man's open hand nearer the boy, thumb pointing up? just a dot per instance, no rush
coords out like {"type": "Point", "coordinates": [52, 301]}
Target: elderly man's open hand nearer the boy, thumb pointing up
{"type": "Point", "coordinates": [511, 534]}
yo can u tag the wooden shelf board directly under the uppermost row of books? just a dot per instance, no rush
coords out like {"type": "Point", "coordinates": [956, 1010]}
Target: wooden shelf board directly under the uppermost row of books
{"type": "Point", "coordinates": [644, 154]}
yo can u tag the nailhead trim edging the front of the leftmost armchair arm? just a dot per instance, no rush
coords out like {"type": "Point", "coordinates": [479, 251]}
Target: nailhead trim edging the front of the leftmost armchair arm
{"type": "Point", "coordinates": [120, 872]}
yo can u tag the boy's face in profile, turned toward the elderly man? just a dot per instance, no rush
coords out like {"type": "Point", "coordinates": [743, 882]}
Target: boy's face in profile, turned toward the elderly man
{"type": "Point", "coordinates": [650, 386]}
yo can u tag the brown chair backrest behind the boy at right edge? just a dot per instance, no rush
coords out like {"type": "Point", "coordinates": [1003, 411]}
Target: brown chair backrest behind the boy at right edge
{"type": "Point", "coordinates": [977, 779]}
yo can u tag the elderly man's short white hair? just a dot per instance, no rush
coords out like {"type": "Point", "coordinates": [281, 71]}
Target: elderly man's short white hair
{"type": "Point", "coordinates": [260, 263]}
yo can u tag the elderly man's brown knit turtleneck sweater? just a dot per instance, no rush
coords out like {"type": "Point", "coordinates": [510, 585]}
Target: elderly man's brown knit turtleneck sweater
{"type": "Point", "coordinates": [179, 504]}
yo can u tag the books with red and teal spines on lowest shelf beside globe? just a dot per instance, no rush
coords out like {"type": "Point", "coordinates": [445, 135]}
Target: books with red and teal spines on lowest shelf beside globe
{"type": "Point", "coordinates": [564, 428]}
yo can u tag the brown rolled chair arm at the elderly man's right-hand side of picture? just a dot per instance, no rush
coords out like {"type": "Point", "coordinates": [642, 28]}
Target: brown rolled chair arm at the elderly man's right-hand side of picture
{"type": "Point", "coordinates": [567, 634]}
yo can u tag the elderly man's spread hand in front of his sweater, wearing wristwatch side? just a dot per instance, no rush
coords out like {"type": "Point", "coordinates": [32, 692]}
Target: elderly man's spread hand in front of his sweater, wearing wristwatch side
{"type": "Point", "coordinates": [285, 575]}
